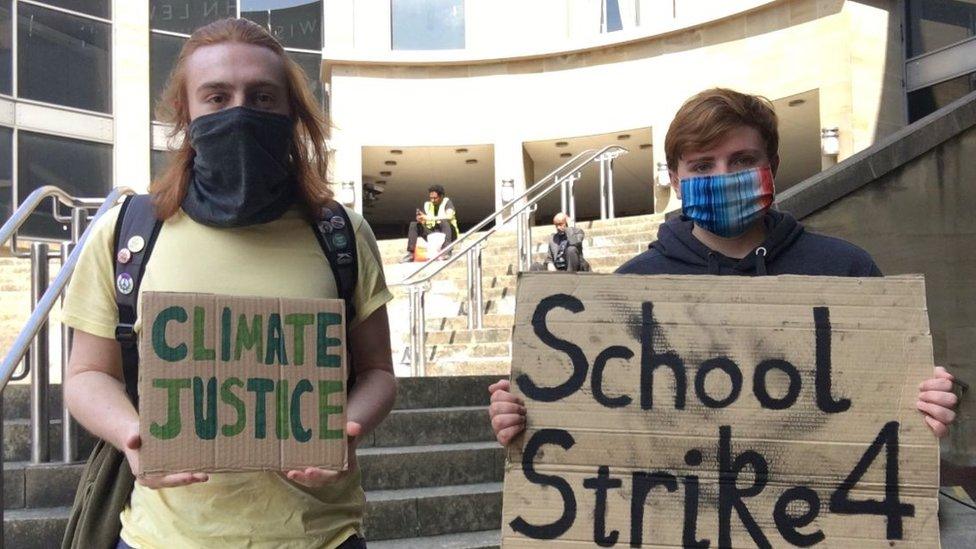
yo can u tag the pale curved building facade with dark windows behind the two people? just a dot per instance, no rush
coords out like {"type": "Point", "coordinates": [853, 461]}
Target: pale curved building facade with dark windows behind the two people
{"type": "Point", "coordinates": [478, 95]}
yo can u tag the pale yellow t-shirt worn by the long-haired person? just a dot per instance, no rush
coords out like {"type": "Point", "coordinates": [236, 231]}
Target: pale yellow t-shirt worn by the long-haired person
{"type": "Point", "coordinates": [278, 259]}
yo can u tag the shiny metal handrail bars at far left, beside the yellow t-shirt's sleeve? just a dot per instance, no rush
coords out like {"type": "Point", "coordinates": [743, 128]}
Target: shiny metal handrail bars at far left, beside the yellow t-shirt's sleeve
{"type": "Point", "coordinates": [40, 313]}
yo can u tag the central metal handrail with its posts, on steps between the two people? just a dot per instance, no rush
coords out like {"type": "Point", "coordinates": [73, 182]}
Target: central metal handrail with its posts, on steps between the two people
{"type": "Point", "coordinates": [417, 285]}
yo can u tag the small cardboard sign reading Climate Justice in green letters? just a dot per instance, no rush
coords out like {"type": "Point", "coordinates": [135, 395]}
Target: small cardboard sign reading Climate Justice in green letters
{"type": "Point", "coordinates": [238, 383]}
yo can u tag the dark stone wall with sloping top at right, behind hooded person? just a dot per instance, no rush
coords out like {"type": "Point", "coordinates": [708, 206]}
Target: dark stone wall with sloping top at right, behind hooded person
{"type": "Point", "coordinates": [910, 202]}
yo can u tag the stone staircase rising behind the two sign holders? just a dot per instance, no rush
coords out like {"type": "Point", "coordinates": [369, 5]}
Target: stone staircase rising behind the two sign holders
{"type": "Point", "coordinates": [432, 471]}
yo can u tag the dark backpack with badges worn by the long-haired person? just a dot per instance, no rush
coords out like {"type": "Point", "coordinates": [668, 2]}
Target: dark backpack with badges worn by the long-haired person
{"type": "Point", "coordinates": [107, 481]}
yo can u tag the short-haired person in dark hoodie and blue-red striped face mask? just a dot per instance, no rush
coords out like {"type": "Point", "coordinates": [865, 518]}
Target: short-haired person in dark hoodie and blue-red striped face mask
{"type": "Point", "coordinates": [722, 156]}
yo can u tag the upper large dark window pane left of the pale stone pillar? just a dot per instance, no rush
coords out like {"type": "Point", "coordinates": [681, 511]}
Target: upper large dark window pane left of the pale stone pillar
{"type": "Point", "coordinates": [64, 59]}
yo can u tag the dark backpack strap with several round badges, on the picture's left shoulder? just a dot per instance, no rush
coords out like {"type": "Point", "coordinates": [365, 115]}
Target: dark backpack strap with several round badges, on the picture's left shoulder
{"type": "Point", "coordinates": [135, 235]}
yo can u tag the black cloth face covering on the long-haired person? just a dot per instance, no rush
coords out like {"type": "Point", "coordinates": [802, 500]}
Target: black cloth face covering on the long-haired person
{"type": "Point", "coordinates": [241, 172]}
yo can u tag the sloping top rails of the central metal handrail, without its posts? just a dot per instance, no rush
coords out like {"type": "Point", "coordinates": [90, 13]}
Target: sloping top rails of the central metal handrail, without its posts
{"type": "Point", "coordinates": [590, 157]}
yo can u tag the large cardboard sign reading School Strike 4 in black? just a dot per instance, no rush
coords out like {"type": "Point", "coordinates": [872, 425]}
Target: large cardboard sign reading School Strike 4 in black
{"type": "Point", "coordinates": [721, 412]}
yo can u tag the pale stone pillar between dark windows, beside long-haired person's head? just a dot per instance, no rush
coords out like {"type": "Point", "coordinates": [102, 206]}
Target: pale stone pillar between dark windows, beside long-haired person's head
{"type": "Point", "coordinates": [131, 93]}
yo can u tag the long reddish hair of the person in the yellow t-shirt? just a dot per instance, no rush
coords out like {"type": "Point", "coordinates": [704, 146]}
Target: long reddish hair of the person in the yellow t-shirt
{"type": "Point", "coordinates": [308, 155]}
